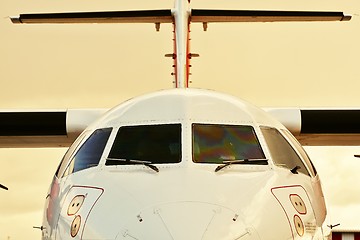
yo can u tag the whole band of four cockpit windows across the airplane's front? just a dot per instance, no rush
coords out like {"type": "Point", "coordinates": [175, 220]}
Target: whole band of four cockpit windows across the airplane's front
{"type": "Point", "coordinates": [162, 144]}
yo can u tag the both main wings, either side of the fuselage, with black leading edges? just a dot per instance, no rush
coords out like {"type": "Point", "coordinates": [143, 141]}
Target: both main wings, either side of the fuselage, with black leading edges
{"type": "Point", "coordinates": [59, 128]}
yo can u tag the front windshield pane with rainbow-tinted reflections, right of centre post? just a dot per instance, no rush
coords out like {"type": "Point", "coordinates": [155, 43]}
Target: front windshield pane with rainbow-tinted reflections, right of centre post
{"type": "Point", "coordinates": [220, 143]}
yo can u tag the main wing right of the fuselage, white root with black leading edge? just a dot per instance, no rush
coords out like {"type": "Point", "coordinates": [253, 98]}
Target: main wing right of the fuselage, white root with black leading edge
{"type": "Point", "coordinates": [321, 127]}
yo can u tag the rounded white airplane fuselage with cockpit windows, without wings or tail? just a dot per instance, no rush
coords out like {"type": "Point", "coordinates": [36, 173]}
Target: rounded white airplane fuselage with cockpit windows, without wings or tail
{"type": "Point", "coordinates": [185, 198]}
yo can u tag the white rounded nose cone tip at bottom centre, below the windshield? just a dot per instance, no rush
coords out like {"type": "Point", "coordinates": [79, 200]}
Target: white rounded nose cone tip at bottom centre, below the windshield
{"type": "Point", "coordinates": [187, 220]}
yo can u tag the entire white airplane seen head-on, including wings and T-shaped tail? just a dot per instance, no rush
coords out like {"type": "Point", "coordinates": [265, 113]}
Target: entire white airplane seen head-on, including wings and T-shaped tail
{"type": "Point", "coordinates": [182, 163]}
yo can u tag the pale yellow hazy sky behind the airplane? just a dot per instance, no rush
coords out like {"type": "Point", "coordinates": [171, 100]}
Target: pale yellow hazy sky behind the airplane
{"type": "Point", "coordinates": [99, 66]}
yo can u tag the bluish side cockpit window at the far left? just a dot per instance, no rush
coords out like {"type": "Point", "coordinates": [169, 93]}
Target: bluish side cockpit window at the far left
{"type": "Point", "coordinates": [90, 152]}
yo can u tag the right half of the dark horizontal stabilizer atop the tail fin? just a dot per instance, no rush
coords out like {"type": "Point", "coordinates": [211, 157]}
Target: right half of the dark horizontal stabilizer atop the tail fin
{"type": "Point", "coordinates": [207, 15]}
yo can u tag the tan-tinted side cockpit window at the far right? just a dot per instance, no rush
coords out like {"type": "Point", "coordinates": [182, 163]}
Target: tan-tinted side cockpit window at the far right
{"type": "Point", "coordinates": [281, 151]}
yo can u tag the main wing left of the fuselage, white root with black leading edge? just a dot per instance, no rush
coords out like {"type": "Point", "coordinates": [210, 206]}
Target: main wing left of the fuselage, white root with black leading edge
{"type": "Point", "coordinates": [44, 128]}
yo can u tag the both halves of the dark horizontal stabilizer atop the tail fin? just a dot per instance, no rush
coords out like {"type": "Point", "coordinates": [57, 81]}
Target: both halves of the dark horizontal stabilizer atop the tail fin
{"type": "Point", "coordinates": [165, 16]}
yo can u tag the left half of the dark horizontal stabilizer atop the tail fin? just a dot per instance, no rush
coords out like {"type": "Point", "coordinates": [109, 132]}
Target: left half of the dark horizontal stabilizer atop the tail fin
{"type": "Point", "coordinates": [139, 16]}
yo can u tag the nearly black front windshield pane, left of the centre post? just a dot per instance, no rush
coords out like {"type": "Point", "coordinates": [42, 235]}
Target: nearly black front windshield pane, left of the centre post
{"type": "Point", "coordinates": [150, 143]}
